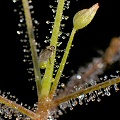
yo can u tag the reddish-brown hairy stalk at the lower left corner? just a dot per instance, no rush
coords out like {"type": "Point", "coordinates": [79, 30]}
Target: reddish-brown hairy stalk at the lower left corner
{"type": "Point", "coordinates": [21, 109]}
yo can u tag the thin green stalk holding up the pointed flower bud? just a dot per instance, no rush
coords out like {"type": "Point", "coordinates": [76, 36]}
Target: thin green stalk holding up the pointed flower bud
{"type": "Point", "coordinates": [62, 64]}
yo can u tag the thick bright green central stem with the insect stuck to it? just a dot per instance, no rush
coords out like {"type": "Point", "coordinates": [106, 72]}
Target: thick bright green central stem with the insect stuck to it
{"type": "Point", "coordinates": [46, 81]}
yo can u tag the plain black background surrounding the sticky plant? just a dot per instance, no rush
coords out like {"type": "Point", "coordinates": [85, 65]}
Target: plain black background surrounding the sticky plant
{"type": "Point", "coordinates": [96, 36]}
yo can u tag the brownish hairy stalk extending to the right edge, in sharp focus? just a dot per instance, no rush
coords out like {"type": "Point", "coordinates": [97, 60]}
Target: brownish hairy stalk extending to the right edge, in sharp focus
{"type": "Point", "coordinates": [105, 84]}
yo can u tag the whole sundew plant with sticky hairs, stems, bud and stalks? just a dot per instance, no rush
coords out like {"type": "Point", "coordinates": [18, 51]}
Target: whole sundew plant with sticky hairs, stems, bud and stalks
{"type": "Point", "coordinates": [60, 79]}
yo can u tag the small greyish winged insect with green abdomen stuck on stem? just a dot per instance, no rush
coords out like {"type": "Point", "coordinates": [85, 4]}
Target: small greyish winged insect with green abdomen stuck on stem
{"type": "Point", "coordinates": [45, 55]}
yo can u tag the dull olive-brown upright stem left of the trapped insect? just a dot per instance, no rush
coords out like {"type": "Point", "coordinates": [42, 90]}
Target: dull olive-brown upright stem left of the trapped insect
{"type": "Point", "coordinates": [32, 45]}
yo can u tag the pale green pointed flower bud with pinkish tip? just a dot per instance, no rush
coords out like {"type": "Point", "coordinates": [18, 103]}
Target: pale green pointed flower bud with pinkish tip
{"type": "Point", "coordinates": [84, 17]}
